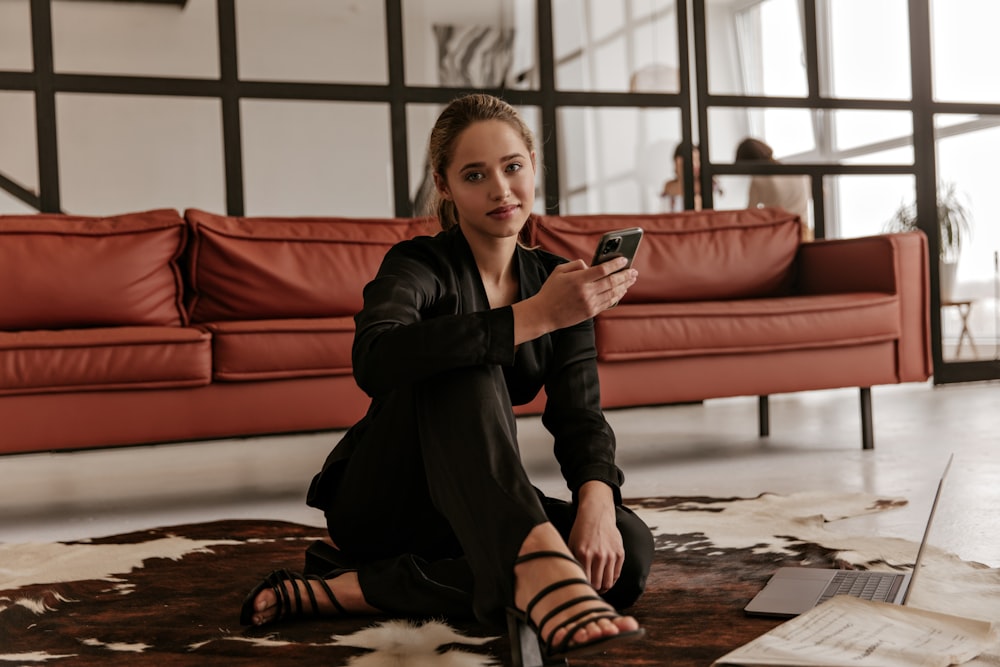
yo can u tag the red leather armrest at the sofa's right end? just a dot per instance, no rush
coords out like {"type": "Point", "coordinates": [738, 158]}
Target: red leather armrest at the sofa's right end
{"type": "Point", "coordinates": [893, 263]}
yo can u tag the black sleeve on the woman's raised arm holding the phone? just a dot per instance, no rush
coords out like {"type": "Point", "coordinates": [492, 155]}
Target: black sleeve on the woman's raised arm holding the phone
{"type": "Point", "coordinates": [412, 324]}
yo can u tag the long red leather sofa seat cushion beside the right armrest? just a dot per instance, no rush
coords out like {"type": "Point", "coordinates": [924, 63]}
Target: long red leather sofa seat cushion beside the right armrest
{"type": "Point", "coordinates": [652, 331]}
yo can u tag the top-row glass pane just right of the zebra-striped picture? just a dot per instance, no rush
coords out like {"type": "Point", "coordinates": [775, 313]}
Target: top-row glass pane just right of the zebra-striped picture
{"type": "Point", "coordinates": [597, 49]}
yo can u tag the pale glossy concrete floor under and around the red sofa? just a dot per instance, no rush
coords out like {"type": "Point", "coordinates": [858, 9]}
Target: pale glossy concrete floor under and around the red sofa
{"type": "Point", "coordinates": [708, 449]}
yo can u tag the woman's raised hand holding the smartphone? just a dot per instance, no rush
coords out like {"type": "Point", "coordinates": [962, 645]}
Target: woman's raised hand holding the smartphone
{"type": "Point", "coordinates": [573, 293]}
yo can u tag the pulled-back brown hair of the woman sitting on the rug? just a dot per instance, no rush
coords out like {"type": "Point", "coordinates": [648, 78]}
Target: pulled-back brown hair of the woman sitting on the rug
{"type": "Point", "coordinates": [455, 119]}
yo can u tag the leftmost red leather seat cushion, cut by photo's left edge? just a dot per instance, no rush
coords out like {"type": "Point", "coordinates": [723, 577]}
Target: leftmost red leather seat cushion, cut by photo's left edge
{"type": "Point", "coordinates": [103, 359]}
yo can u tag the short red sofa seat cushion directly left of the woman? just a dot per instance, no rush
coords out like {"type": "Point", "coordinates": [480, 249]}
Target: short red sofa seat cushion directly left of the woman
{"type": "Point", "coordinates": [278, 349]}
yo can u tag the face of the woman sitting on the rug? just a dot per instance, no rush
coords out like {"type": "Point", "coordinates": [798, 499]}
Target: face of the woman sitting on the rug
{"type": "Point", "coordinates": [491, 180]}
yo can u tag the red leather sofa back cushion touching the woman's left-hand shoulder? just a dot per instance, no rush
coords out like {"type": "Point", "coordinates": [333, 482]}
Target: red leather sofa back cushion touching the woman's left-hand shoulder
{"type": "Point", "coordinates": [242, 268]}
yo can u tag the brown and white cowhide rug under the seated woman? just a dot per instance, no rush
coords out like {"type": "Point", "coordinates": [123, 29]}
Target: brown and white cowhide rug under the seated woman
{"type": "Point", "coordinates": [171, 596]}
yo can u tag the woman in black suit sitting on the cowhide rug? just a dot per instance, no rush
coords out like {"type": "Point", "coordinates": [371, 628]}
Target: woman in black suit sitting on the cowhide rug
{"type": "Point", "coordinates": [426, 499]}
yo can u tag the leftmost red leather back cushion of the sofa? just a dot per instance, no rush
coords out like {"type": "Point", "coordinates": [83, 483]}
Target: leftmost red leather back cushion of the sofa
{"type": "Point", "coordinates": [65, 271]}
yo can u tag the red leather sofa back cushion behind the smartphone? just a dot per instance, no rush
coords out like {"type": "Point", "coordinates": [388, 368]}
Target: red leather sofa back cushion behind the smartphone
{"type": "Point", "coordinates": [689, 256]}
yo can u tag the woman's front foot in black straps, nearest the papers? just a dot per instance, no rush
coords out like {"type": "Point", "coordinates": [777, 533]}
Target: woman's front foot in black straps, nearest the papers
{"type": "Point", "coordinates": [532, 576]}
